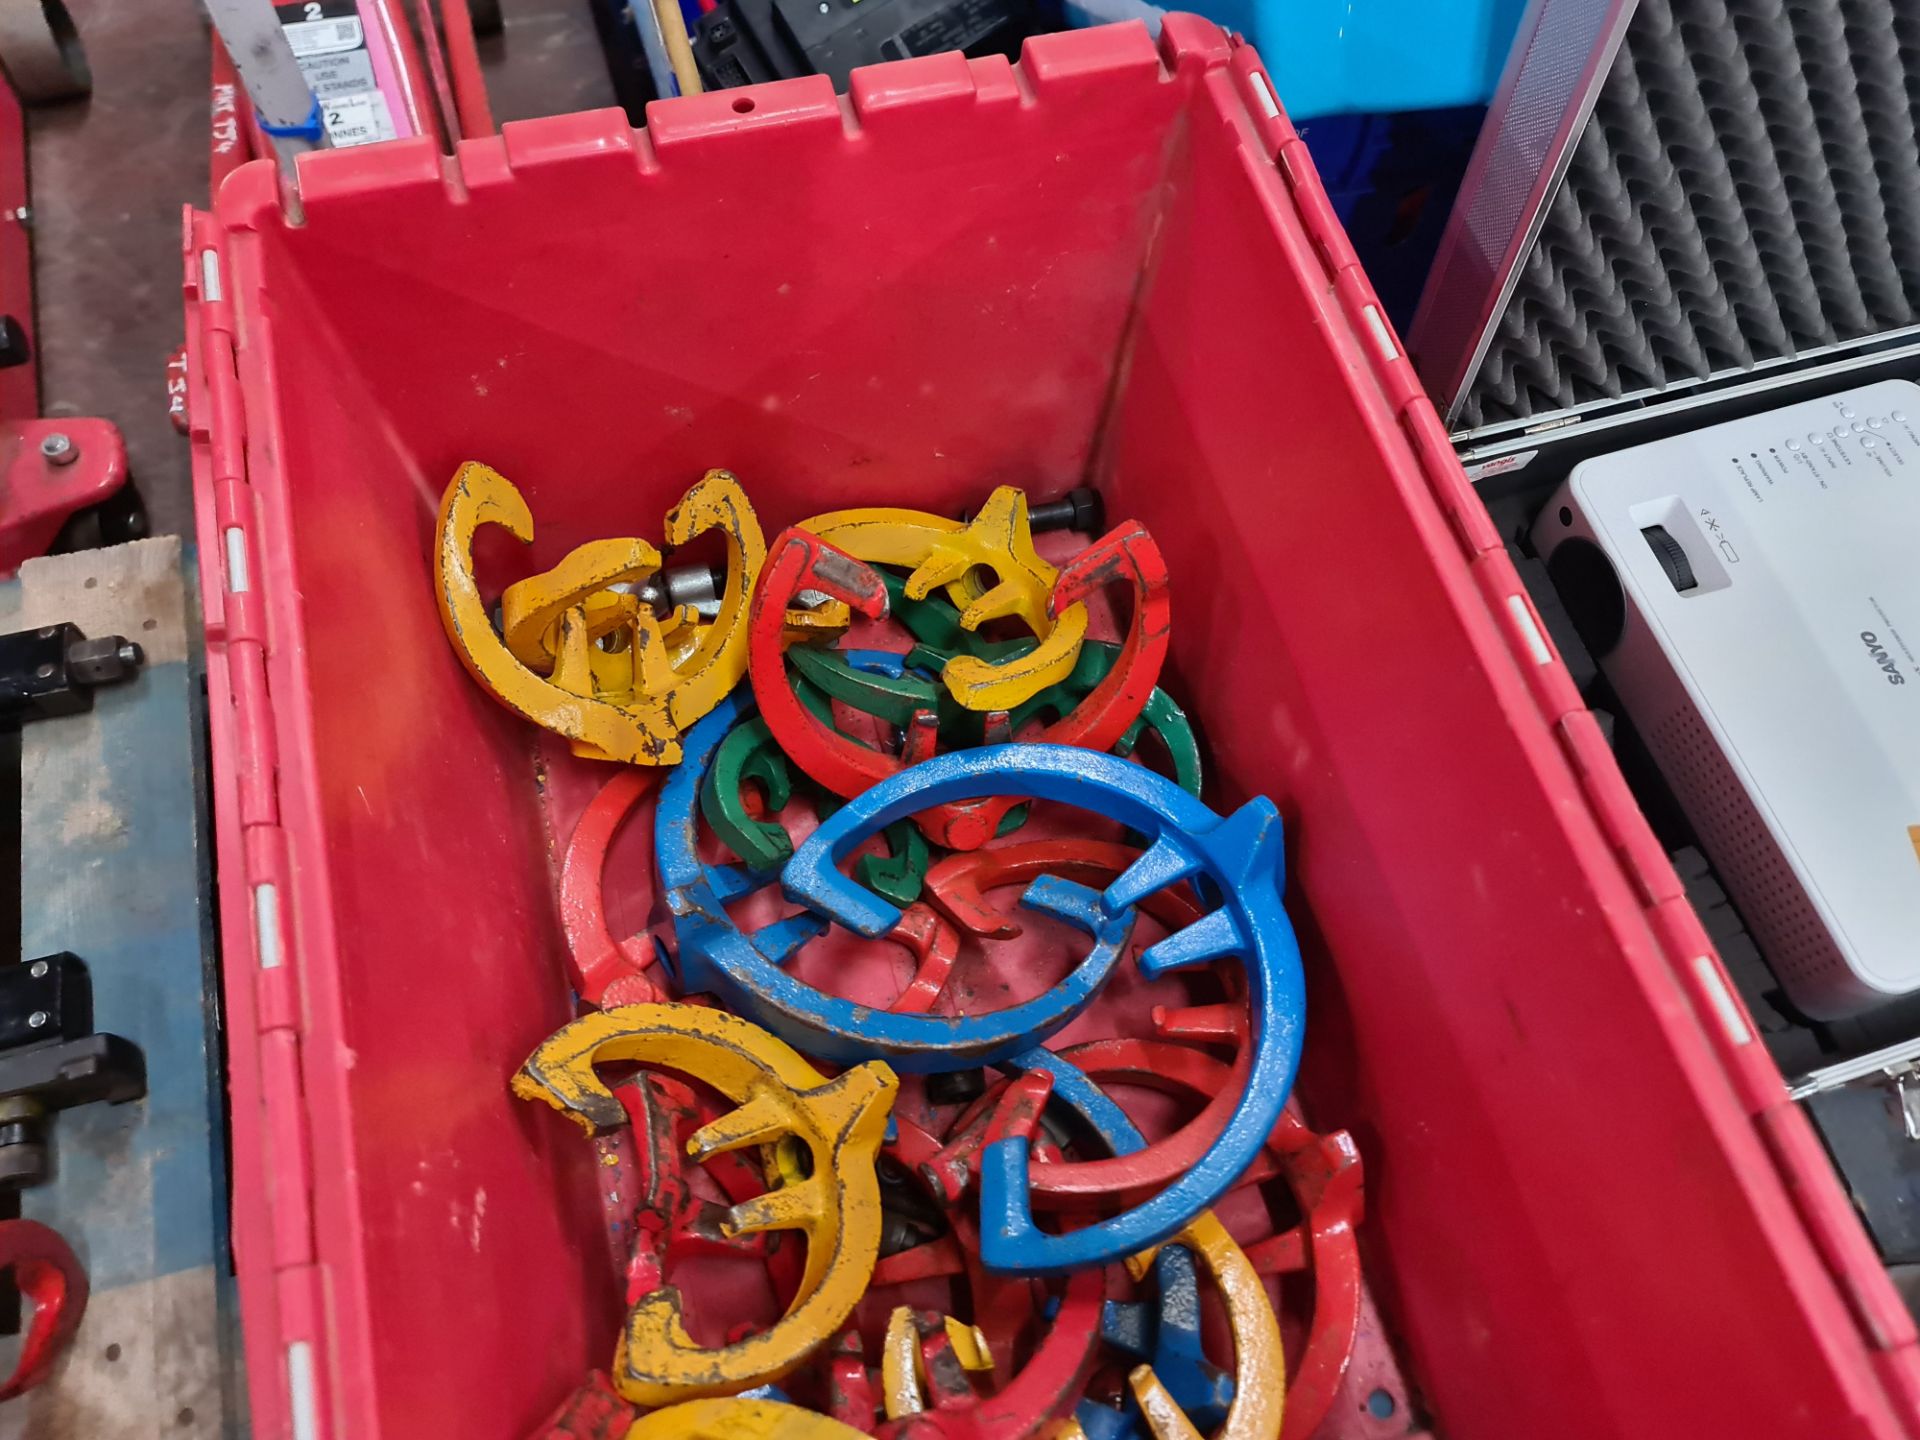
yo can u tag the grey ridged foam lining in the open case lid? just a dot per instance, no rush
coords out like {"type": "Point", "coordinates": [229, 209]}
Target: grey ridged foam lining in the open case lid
{"type": "Point", "coordinates": [1748, 189]}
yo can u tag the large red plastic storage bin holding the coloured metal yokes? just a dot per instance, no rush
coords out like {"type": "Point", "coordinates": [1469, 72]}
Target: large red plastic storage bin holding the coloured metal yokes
{"type": "Point", "coordinates": [1593, 1211]}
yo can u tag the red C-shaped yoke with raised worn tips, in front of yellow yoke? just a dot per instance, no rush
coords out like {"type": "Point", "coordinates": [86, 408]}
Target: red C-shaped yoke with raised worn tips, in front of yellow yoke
{"type": "Point", "coordinates": [802, 562]}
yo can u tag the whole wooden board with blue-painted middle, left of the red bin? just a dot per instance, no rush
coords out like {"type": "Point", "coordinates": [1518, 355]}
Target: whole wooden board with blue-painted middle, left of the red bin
{"type": "Point", "coordinates": [116, 867]}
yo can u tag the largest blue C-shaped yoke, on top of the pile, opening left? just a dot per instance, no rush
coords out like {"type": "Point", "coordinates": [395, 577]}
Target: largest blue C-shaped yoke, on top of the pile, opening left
{"type": "Point", "coordinates": [1236, 863]}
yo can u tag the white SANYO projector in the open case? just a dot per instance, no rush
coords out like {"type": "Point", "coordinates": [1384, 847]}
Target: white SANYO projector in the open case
{"type": "Point", "coordinates": [1754, 594]}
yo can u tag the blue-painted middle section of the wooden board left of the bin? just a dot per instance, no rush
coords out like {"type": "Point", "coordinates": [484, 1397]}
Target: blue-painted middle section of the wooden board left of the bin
{"type": "Point", "coordinates": [112, 875]}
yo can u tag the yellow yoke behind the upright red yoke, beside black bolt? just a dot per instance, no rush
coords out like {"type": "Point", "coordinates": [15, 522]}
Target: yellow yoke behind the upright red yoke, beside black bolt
{"type": "Point", "coordinates": [951, 554]}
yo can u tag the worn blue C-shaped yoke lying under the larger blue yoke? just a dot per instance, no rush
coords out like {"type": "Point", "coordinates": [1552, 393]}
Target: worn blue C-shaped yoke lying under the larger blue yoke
{"type": "Point", "coordinates": [746, 971]}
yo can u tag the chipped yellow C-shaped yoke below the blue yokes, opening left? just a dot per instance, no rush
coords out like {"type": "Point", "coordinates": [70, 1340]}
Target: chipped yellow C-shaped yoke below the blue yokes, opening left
{"type": "Point", "coordinates": [842, 1122]}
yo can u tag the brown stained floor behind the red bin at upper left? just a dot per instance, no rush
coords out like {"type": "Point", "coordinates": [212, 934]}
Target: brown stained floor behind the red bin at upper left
{"type": "Point", "coordinates": [110, 178]}
